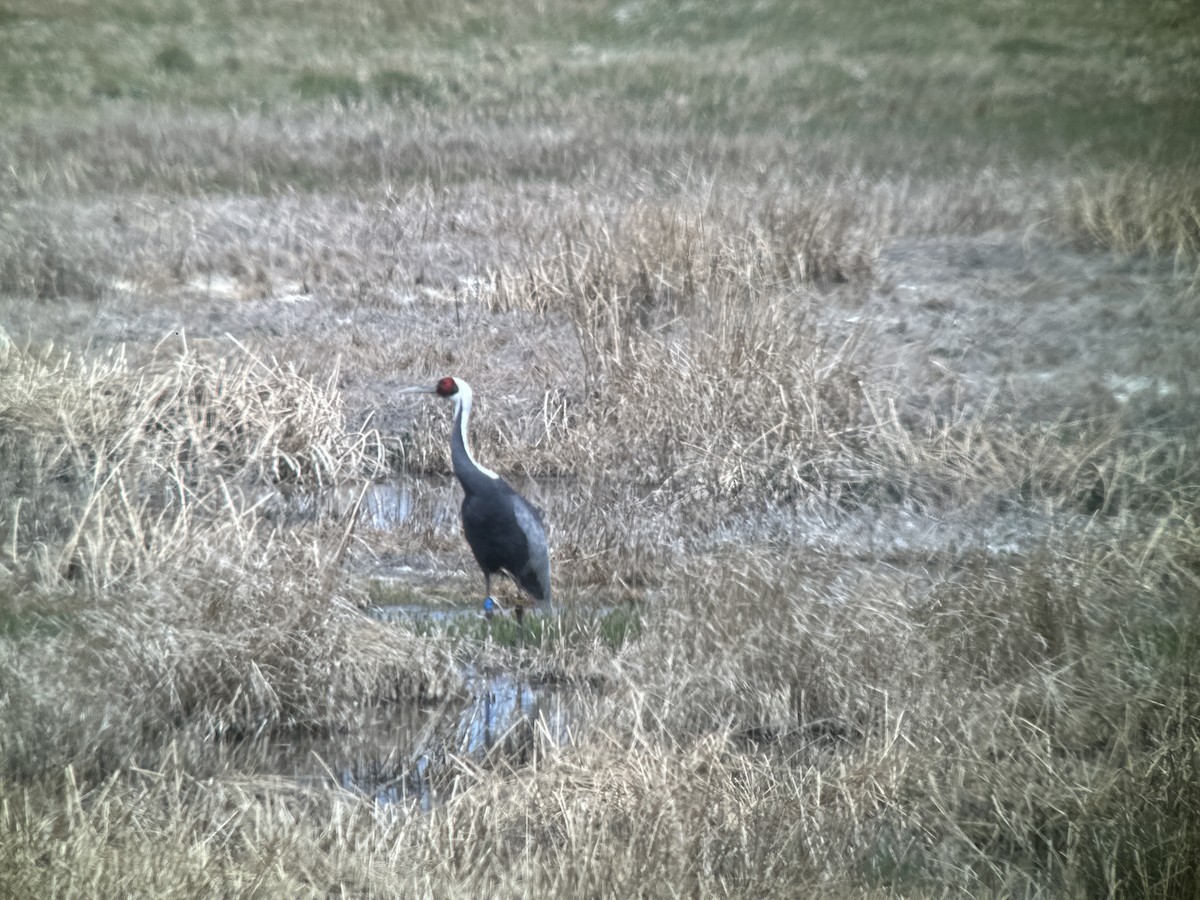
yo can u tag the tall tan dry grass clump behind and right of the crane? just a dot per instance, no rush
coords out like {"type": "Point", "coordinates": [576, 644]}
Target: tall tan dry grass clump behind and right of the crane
{"type": "Point", "coordinates": [686, 334]}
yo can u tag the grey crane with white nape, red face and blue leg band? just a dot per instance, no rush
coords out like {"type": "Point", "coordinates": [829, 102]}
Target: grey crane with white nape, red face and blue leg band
{"type": "Point", "coordinates": [505, 531]}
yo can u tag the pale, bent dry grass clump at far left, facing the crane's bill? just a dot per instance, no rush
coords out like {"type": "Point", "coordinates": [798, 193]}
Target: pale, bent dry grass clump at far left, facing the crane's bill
{"type": "Point", "coordinates": [145, 449]}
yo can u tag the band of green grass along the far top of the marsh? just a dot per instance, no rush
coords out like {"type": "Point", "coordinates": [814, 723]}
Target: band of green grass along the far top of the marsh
{"type": "Point", "coordinates": [963, 77]}
